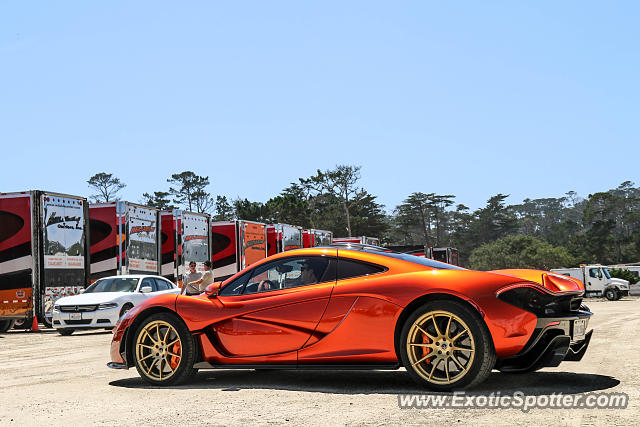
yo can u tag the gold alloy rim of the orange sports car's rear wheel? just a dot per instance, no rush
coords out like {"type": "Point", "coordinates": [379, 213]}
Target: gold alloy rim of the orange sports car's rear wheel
{"type": "Point", "coordinates": [440, 347]}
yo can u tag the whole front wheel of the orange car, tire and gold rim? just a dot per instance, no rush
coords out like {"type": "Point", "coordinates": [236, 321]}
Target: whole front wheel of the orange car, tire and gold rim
{"type": "Point", "coordinates": [164, 350]}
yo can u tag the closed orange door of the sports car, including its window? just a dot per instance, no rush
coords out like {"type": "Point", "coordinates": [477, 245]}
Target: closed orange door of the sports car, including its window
{"type": "Point", "coordinates": [275, 307]}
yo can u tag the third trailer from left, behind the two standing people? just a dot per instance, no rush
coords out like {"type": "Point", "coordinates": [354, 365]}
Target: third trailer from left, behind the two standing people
{"type": "Point", "coordinates": [185, 237]}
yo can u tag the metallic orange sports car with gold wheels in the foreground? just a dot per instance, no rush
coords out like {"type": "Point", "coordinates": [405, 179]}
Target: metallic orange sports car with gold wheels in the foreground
{"type": "Point", "coordinates": [360, 307]}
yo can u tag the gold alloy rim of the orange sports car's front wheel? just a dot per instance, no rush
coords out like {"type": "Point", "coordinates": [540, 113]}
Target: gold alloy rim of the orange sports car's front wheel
{"type": "Point", "coordinates": [159, 350]}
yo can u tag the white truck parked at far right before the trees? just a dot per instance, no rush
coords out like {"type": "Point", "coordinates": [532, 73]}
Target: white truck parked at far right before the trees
{"type": "Point", "coordinates": [597, 281]}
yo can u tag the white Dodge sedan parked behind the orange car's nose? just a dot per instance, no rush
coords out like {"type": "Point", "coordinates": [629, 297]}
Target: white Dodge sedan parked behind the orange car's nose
{"type": "Point", "coordinates": [106, 300]}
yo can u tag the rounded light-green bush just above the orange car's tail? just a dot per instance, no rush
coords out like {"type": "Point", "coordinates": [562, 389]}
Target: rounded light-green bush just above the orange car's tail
{"type": "Point", "coordinates": [519, 252]}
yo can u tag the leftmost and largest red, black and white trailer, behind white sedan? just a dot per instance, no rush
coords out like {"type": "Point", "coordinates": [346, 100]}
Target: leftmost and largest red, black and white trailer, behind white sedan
{"type": "Point", "coordinates": [44, 253]}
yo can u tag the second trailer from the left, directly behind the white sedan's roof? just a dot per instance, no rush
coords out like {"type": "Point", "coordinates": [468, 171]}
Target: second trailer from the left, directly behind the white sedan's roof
{"type": "Point", "coordinates": [124, 239]}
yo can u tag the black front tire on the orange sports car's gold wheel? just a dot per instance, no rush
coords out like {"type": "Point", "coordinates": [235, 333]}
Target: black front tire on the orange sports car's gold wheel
{"type": "Point", "coordinates": [183, 371]}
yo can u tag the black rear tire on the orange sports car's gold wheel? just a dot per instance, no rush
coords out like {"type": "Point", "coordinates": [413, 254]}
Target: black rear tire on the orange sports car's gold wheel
{"type": "Point", "coordinates": [478, 363]}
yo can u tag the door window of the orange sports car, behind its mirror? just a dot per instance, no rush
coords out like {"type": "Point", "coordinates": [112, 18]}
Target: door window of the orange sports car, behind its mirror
{"type": "Point", "coordinates": [290, 273]}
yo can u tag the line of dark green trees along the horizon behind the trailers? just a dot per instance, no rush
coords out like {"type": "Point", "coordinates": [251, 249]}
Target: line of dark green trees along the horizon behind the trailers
{"type": "Point", "coordinates": [544, 233]}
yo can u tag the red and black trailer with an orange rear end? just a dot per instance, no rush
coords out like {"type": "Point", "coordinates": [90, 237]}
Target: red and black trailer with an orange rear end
{"type": "Point", "coordinates": [236, 245]}
